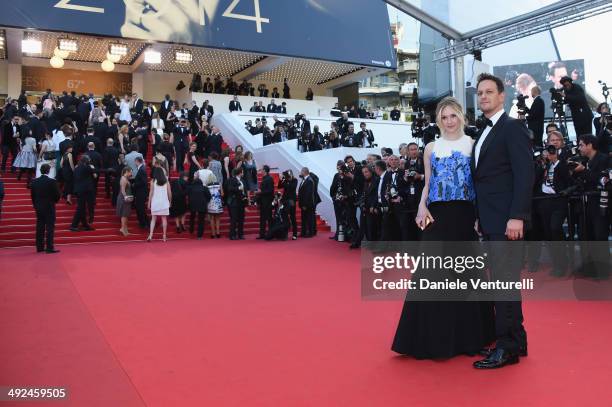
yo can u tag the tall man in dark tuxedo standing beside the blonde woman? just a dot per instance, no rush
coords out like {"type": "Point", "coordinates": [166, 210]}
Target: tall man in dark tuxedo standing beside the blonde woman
{"type": "Point", "coordinates": [503, 173]}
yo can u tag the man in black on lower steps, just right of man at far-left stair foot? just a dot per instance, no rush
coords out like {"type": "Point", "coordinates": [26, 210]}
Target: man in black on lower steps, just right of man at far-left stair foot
{"type": "Point", "coordinates": [84, 189]}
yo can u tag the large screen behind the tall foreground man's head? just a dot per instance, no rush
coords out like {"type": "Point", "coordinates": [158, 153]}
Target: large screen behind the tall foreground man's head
{"type": "Point", "coordinates": [520, 79]}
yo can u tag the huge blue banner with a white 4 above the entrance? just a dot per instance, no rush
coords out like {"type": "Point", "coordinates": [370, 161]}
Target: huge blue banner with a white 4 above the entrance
{"type": "Point", "coordinates": [332, 30]}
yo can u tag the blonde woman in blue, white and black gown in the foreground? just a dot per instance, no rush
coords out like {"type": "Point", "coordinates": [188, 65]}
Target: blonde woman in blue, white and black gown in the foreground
{"type": "Point", "coordinates": [443, 329]}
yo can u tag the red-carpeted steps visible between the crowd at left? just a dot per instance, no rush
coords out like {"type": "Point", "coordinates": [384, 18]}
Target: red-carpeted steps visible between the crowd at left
{"type": "Point", "coordinates": [18, 220]}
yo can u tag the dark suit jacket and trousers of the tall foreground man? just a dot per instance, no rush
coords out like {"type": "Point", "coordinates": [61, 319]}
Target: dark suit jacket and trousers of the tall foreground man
{"type": "Point", "coordinates": [503, 179]}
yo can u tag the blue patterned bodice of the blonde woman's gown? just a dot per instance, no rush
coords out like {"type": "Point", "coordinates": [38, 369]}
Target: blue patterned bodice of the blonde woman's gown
{"type": "Point", "coordinates": [451, 178]}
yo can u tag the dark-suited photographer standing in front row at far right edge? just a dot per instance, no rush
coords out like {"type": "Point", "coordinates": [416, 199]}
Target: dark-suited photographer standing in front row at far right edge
{"type": "Point", "coordinates": [597, 218]}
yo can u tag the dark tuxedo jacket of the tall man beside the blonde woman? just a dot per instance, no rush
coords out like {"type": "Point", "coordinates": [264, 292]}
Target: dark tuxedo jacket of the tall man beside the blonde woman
{"type": "Point", "coordinates": [504, 176]}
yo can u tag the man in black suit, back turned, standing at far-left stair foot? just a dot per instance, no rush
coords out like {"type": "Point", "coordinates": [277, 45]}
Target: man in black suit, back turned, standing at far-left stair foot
{"type": "Point", "coordinates": [45, 194]}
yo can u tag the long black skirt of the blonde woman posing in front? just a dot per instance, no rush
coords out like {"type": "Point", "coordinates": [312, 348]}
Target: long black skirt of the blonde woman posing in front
{"type": "Point", "coordinates": [443, 329]}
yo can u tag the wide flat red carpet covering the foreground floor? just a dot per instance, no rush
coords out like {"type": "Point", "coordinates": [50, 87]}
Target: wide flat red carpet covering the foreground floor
{"type": "Point", "coordinates": [220, 323]}
